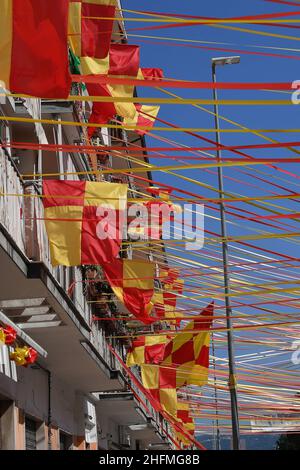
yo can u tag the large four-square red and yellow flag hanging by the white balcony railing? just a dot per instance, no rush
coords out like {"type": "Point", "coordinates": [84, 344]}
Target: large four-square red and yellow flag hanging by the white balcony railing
{"type": "Point", "coordinates": [84, 221]}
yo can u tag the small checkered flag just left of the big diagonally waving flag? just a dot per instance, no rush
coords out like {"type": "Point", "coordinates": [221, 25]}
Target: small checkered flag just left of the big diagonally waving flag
{"type": "Point", "coordinates": [147, 350]}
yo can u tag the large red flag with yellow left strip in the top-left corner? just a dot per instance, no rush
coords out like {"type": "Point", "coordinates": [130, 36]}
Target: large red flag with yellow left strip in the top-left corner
{"type": "Point", "coordinates": [33, 47]}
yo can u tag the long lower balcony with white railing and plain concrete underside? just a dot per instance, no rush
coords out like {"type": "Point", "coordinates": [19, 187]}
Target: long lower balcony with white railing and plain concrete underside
{"type": "Point", "coordinates": [54, 304]}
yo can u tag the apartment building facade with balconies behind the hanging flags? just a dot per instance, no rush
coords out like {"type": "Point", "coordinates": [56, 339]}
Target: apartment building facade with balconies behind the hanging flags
{"type": "Point", "coordinates": [77, 396]}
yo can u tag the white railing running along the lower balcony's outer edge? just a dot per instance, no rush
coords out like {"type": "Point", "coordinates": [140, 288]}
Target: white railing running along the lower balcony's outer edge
{"type": "Point", "coordinates": [21, 214]}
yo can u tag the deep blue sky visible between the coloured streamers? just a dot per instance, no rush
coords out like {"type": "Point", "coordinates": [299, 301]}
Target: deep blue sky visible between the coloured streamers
{"type": "Point", "coordinates": [194, 64]}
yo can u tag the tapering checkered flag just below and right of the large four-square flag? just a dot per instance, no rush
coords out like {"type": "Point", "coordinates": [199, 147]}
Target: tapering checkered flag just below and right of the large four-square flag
{"type": "Point", "coordinates": [133, 283]}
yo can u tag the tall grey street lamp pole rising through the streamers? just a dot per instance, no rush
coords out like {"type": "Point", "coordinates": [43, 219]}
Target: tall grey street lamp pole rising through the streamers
{"type": "Point", "coordinates": [230, 339]}
